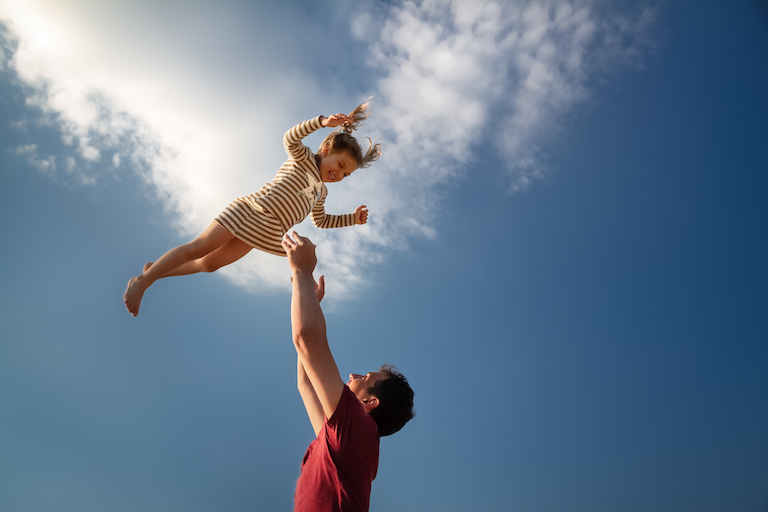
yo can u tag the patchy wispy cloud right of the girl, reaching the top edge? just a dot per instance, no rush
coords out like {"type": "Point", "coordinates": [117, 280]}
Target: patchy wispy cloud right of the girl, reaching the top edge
{"type": "Point", "coordinates": [452, 76]}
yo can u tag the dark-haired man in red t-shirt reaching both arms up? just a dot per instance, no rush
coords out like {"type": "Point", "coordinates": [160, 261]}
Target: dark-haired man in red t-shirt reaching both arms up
{"type": "Point", "coordinates": [348, 419]}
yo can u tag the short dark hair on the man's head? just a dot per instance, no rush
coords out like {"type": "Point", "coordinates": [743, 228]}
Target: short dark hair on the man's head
{"type": "Point", "coordinates": [395, 396]}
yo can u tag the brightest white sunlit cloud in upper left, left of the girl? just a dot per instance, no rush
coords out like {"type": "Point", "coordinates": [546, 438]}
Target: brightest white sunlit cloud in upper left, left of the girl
{"type": "Point", "coordinates": [134, 85]}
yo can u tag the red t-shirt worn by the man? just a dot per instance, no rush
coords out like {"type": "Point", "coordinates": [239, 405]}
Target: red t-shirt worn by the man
{"type": "Point", "coordinates": [341, 463]}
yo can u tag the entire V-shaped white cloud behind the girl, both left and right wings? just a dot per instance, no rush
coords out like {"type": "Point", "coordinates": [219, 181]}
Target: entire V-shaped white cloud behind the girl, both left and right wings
{"type": "Point", "coordinates": [447, 77]}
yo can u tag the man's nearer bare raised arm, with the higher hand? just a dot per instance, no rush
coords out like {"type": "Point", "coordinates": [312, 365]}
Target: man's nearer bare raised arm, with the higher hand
{"type": "Point", "coordinates": [308, 326]}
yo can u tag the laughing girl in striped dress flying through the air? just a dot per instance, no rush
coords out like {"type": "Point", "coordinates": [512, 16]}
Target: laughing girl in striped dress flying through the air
{"type": "Point", "coordinates": [260, 220]}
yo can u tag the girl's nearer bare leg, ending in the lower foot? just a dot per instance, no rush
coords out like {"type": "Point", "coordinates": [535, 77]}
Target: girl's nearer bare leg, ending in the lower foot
{"type": "Point", "coordinates": [211, 239]}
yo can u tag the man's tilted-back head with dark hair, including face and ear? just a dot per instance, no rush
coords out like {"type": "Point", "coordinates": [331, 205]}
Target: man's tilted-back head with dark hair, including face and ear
{"type": "Point", "coordinates": [386, 396]}
